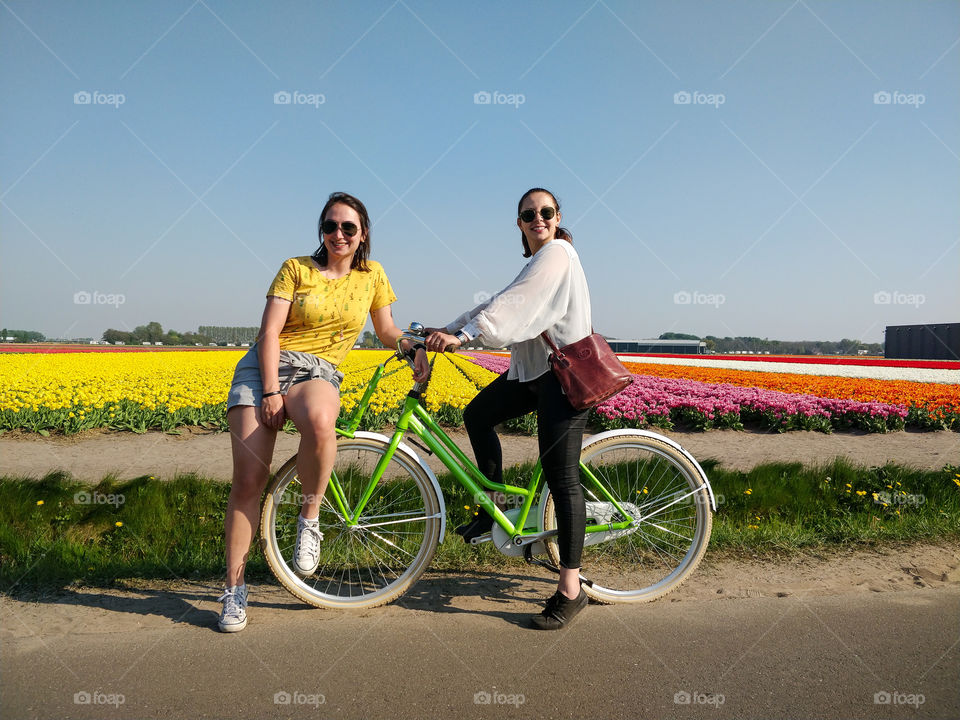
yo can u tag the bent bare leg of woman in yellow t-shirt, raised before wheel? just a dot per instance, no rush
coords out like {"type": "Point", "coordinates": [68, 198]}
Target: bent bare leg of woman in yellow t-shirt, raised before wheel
{"type": "Point", "coordinates": [313, 406]}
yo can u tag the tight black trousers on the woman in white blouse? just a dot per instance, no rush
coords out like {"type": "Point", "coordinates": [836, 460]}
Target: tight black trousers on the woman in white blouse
{"type": "Point", "coordinates": [560, 432]}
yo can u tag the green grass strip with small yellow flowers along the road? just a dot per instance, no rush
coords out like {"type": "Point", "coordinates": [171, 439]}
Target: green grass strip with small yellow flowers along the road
{"type": "Point", "coordinates": [57, 531]}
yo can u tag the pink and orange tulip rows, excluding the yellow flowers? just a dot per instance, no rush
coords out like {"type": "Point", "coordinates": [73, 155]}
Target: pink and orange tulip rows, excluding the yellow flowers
{"type": "Point", "coordinates": [664, 395]}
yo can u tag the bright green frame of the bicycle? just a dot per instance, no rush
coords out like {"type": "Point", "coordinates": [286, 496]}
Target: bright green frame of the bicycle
{"type": "Point", "coordinates": [414, 418]}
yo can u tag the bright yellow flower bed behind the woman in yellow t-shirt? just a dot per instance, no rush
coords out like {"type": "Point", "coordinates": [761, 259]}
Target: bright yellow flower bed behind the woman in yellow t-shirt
{"type": "Point", "coordinates": [166, 390]}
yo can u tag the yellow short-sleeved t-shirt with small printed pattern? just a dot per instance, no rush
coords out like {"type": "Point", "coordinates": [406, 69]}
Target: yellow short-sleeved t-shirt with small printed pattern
{"type": "Point", "coordinates": [326, 316]}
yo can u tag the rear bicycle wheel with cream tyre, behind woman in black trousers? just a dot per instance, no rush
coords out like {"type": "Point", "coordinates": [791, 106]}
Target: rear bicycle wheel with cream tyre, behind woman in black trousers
{"type": "Point", "coordinates": [663, 493]}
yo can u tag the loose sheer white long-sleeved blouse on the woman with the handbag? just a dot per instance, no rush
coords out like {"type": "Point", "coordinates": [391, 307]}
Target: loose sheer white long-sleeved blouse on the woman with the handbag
{"type": "Point", "coordinates": [550, 294]}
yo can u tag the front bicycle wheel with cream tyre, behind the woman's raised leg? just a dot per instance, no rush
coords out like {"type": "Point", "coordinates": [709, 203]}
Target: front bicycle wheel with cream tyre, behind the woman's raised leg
{"type": "Point", "coordinates": [368, 563]}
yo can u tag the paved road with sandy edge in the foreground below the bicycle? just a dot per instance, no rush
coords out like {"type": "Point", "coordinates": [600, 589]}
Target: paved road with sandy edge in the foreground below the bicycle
{"type": "Point", "coordinates": [457, 647]}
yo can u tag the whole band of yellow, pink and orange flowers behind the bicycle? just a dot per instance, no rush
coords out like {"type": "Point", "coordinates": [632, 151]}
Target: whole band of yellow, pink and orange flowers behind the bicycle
{"type": "Point", "coordinates": [141, 391]}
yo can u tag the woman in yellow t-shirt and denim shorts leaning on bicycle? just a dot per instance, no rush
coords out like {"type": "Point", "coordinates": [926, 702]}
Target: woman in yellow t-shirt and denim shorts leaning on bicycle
{"type": "Point", "coordinates": [316, 307]}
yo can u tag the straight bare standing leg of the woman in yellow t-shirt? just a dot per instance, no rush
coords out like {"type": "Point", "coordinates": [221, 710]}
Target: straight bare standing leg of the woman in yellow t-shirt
{"type": "Point", "coordinates": [252, 445]}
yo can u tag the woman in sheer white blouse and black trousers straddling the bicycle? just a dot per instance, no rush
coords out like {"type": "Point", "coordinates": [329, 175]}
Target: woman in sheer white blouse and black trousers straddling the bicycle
{"type": "Point", "coordinates": [550, 294]}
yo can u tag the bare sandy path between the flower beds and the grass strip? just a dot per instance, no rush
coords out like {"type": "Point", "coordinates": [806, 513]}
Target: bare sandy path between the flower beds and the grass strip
{"type": "Point", "coordinates": [92, 455]}
